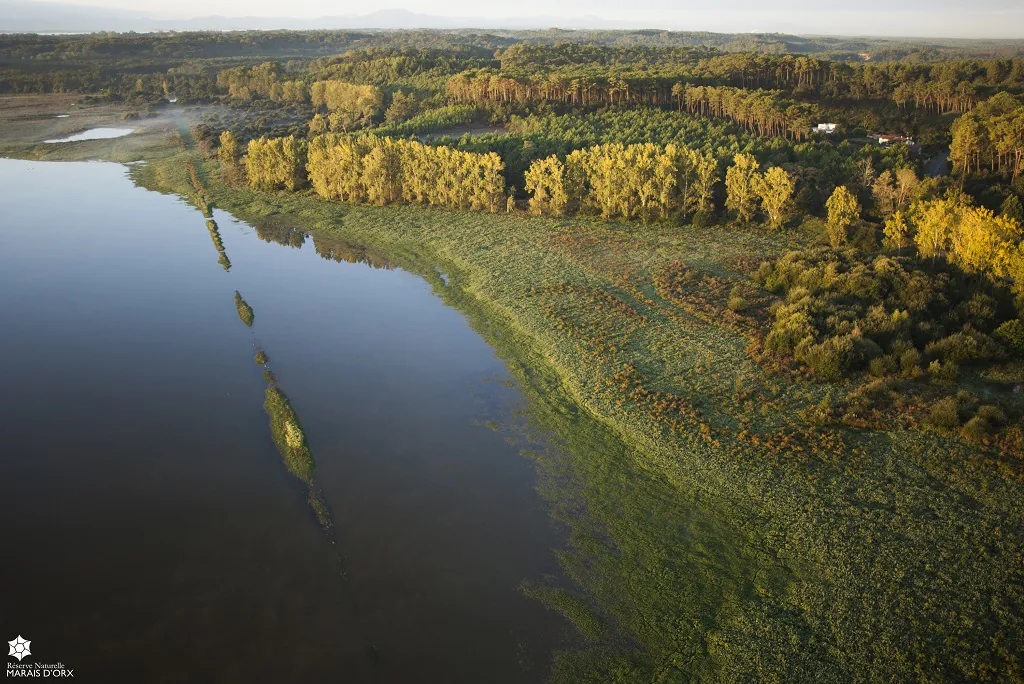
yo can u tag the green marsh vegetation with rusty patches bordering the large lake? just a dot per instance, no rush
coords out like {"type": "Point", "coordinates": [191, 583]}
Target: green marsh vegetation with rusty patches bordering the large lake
{"type": "Point", "coordinates": [715, 534]}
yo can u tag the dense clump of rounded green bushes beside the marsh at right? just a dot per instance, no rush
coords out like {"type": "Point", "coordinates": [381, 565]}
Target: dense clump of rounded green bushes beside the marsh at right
{"type": "Point", "coordinates": [842, 311]}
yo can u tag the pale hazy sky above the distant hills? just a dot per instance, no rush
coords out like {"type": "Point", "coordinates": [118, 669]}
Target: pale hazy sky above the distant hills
{"type": "Point", "coordinates": [881, 18]}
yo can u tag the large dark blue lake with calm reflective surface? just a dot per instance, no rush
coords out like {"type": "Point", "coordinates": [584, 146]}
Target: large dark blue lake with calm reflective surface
{"type": "Point", "coordinates": [151, 530]}
